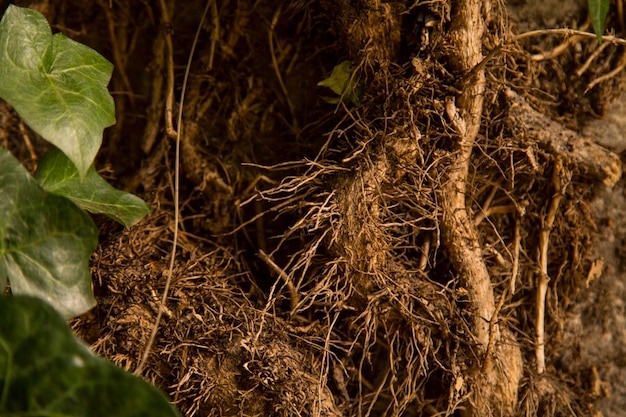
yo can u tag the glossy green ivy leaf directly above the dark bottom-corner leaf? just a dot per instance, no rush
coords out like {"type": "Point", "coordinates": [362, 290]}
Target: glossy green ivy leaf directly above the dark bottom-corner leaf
{"type": "Point", "coordinates": [45, 241]}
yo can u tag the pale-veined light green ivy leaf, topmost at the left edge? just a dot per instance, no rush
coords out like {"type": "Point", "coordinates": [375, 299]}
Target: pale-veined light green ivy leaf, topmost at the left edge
{"type": "Point", "coordinates": [58, 86]}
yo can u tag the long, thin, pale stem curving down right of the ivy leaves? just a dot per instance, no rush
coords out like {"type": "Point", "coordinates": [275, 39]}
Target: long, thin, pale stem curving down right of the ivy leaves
{"type": "Point", "coordinates": [179, 125]}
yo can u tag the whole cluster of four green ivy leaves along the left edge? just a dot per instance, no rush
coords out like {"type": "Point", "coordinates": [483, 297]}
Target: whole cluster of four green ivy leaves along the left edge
{"type": "Point", "coordinates": [59, 88]}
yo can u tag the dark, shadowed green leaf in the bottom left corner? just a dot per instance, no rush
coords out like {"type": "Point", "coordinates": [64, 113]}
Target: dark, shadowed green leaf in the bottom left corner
{"type": "Point", "coordinates": [46, 371]}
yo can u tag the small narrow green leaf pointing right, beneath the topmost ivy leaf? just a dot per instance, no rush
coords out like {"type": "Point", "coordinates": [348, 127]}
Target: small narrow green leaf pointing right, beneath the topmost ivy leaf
{"type": "Point", "coordinates": [58, 175]}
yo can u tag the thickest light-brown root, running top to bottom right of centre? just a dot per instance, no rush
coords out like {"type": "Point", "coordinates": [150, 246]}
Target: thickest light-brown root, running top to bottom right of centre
{"type": "Point", "coordinates": [495, 391]}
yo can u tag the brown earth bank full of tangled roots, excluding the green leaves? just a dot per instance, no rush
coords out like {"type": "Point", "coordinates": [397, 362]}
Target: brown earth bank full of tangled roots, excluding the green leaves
{"type": "Point", "coordinates": [446, 242]}
